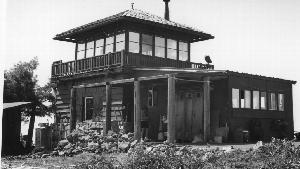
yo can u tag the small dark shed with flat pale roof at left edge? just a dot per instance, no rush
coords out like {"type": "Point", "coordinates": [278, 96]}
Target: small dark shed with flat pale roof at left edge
{"type": "Point", "coordinates": [11, 128]}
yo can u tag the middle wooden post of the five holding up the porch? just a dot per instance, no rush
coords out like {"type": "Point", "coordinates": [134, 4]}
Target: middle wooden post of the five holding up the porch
{"type": "Point", "coordinates": [137, 110]}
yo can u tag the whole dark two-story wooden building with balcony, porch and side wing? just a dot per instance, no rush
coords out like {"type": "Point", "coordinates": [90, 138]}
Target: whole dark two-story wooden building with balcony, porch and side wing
{"type": "Point", "coordinates": [135, 60]}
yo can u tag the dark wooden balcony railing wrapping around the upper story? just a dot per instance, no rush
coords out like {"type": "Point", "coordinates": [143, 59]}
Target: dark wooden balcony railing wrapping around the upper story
{"type": "Point", "coordinates": [119, 59]}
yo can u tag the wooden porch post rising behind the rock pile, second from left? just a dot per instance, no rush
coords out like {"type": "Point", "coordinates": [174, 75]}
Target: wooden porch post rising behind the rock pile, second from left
{"type": "Point", "coordinates": [108, 109]}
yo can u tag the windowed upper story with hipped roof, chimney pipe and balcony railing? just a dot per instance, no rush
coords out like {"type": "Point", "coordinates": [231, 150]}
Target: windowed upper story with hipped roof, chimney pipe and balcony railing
{"type": "Point", "coordinates": [132, 38]}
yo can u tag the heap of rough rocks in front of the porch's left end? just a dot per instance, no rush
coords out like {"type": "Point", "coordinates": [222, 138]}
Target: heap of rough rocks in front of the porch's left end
{"type": "Point", "coordinates": [91, 141]}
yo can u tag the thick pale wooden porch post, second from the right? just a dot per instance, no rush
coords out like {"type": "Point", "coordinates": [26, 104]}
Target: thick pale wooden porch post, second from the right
{"type": "Point", "coordinates": [171, 109]}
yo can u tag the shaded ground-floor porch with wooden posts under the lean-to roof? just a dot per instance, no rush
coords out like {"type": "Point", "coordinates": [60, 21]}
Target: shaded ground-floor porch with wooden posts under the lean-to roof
{"type": "Point", "coordinates": [185, 103]}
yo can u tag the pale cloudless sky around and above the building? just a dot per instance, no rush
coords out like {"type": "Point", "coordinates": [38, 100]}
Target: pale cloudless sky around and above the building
{"type": "Point", "coordinates": [253, 36]}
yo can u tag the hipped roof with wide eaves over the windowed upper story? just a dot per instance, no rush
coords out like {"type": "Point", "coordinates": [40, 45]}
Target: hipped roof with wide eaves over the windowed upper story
{"type": "Point", "coordinates": [132, 13]}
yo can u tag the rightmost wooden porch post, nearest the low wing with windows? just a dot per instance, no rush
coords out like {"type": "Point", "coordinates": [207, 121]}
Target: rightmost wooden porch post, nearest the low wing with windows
{"type": "Point", "coordinates": [206, 93]}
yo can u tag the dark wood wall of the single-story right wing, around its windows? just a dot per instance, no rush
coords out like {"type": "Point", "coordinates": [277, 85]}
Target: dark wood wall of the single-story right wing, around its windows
{"type": "Point", "coordinates": [245, 118]}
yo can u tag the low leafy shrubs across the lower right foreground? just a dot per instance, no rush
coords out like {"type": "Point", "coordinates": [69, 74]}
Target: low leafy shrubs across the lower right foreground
{"type": "Point", "coordinates": [276, 154]}
